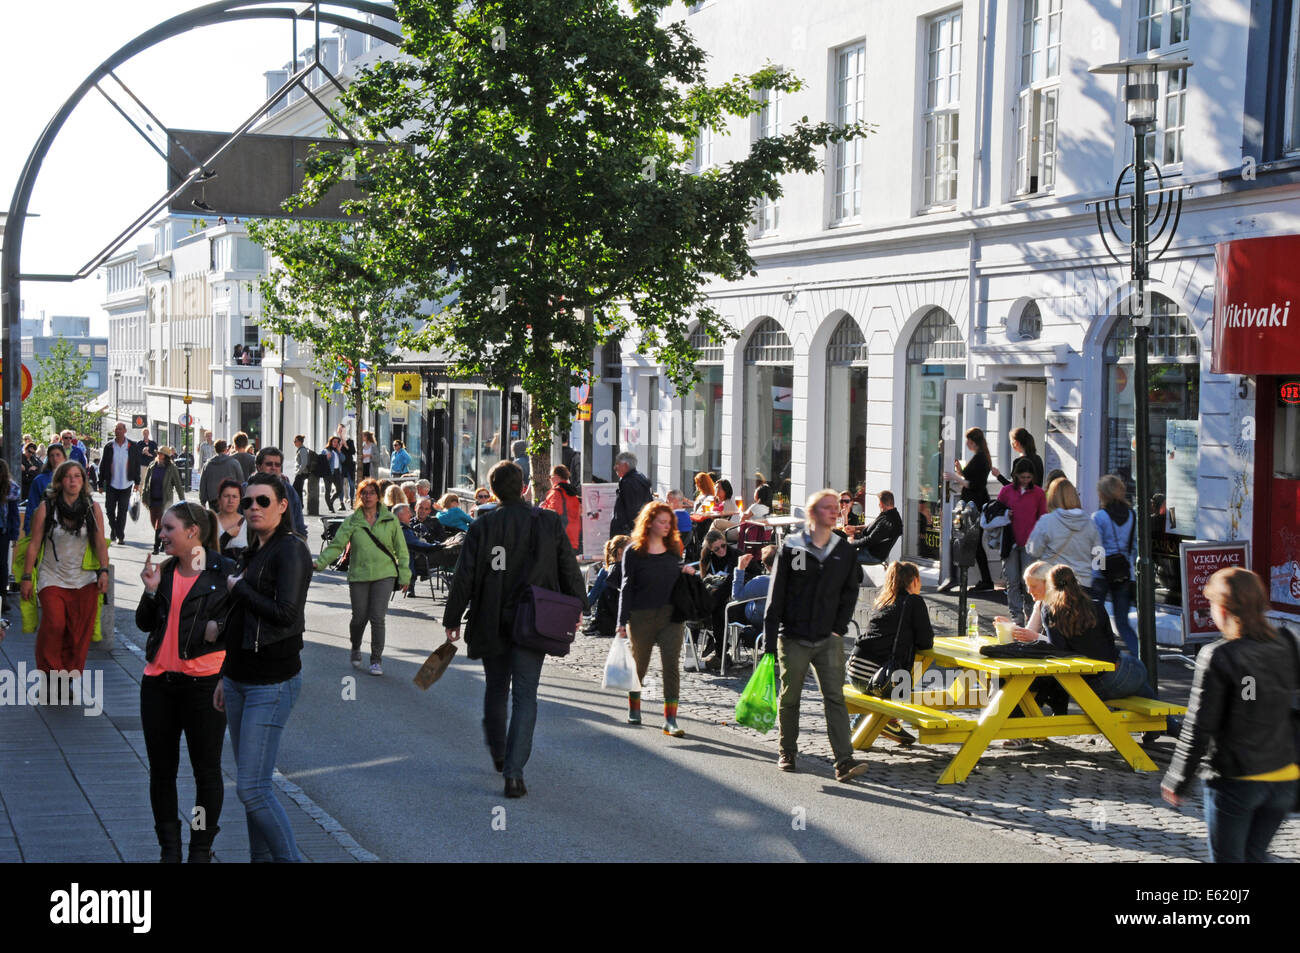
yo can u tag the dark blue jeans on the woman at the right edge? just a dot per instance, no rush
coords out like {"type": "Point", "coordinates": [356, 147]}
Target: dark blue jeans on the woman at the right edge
{"type": "Point", "coordinates": [1242, 817]}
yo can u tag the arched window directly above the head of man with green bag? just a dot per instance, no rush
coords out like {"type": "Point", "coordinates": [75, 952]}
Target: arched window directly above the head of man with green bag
{"type": "Point", "coordinates": [847, 408]}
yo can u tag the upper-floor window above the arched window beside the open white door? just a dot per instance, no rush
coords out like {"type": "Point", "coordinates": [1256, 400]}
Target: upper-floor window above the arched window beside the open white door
{"type": "Point", "coordinates": [943, 99]}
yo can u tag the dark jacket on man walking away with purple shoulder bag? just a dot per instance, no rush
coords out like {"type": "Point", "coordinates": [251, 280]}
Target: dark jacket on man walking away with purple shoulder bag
{"type": "Point", "coordinates": [489, 588]}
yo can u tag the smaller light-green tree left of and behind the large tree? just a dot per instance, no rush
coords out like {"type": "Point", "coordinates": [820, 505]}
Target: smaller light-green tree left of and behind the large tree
{"type": "Point", "coordinates": [333, 287]}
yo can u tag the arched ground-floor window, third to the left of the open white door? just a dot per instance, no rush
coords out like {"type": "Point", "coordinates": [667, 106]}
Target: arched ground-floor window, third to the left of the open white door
{"type": "Point", "coordinates": [769, 401]}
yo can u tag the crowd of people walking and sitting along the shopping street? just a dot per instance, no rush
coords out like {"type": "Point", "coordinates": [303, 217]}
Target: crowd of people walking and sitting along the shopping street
{"type": "Point", "coordinates": [226, 614]}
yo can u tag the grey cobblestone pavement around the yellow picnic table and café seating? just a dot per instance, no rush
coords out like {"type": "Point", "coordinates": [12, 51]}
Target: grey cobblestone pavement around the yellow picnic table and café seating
{"type": "Point", "coordinates": [1074, 796]}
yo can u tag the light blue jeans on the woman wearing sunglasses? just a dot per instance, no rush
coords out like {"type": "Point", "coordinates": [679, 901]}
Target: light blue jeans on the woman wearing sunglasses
{"type": "Point", "coordinates": [257, 716]}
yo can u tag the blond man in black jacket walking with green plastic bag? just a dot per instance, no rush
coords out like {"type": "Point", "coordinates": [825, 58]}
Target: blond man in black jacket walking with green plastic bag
{"type": "Point", "coordinates": [811, 604]}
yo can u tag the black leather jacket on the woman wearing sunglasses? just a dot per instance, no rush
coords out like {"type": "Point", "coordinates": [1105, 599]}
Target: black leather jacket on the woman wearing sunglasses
{"type": "Point", "coordinates": [272, 594]}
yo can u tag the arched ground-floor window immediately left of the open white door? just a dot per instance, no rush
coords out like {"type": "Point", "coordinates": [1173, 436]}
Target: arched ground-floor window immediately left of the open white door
{"type": "Point", "coordinates": [937, 354]}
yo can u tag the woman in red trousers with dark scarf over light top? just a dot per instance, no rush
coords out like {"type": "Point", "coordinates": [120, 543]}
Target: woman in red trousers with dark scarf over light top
{"type": "Point", "coordinates": [70, 547]}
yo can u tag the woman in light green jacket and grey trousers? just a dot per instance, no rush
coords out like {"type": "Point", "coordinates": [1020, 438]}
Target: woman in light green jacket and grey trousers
{"type": "Point", "coordinates": [378, 557]}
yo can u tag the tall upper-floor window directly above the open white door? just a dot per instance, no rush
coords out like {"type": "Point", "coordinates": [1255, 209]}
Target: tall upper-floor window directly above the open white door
{"type": "Point", "coordinates": [1037, 105]}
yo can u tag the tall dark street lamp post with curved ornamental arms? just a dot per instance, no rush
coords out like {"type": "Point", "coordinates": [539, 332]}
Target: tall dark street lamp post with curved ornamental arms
{"type": "Point", "coordinates": [1142, 96]}
